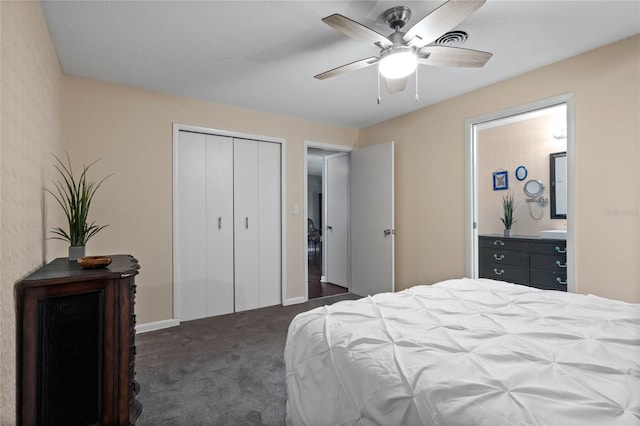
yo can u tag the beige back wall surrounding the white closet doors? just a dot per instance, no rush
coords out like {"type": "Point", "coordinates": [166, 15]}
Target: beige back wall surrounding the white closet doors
{"type": "Point", "coordinates": [131, 132]}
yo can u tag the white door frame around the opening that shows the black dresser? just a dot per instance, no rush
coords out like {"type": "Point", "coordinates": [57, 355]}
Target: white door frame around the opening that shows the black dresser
{"type": "Point", "coordinates": [471, 180]}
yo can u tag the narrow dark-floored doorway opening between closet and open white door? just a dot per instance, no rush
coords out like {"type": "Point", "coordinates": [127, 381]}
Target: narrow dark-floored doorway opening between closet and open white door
{"type": "Point", "coordinates": [327, 221]}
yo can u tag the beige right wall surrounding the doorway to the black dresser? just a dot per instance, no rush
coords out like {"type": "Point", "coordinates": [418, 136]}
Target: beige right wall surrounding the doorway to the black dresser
{"type": "Point", "coordinates": [430, 187]}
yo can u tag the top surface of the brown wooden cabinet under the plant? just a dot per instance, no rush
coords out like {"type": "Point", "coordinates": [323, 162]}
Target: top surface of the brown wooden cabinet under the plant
{"type": "Point", "coordinates": [122, 265]}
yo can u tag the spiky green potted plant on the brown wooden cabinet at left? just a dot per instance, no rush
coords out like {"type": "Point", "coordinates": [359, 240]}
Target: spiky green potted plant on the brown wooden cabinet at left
{"type": "Point", "coordinates": [75, 196]}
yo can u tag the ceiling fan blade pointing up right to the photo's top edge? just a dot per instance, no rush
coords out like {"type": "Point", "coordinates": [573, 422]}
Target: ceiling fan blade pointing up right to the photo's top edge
{"type": "Point", "coordinates": [441, 20]}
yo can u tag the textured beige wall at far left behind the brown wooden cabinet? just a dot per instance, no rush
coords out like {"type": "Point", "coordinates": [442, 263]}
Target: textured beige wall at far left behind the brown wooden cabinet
{"type": "Point", "coordinates": [31, 118]}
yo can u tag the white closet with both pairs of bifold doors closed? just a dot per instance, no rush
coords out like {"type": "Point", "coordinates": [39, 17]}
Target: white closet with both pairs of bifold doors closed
{"type": "Point", "coordinates": [227, 219]}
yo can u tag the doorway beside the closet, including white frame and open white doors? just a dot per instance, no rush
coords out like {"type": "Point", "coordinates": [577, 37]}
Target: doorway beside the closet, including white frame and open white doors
{"type": "Point", "coordinates": [358, 233]}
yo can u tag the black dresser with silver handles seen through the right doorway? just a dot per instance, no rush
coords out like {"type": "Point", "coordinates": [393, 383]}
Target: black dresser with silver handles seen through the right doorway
{"type": "Point", "coordinates": [531, 261]}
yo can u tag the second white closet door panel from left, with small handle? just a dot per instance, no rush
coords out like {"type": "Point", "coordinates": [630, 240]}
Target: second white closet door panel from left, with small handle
{"type": "Point", "coordinates": [219, 225]}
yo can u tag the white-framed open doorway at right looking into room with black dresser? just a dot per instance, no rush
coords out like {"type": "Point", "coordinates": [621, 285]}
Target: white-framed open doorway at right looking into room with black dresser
{"type": "Point", "coordinates": [500, 160]}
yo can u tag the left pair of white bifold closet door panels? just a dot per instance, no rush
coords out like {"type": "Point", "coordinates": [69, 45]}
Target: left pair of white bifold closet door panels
{"type": "Point", "coordinates": [204, 220]}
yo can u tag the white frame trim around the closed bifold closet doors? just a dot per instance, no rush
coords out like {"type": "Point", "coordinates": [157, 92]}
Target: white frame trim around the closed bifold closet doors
{"type": "Point", "coordinates": [177, 127]}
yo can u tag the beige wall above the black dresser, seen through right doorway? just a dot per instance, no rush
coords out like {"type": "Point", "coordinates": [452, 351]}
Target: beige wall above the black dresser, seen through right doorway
{"type": "Point", "coordinates": [524, 143]}
